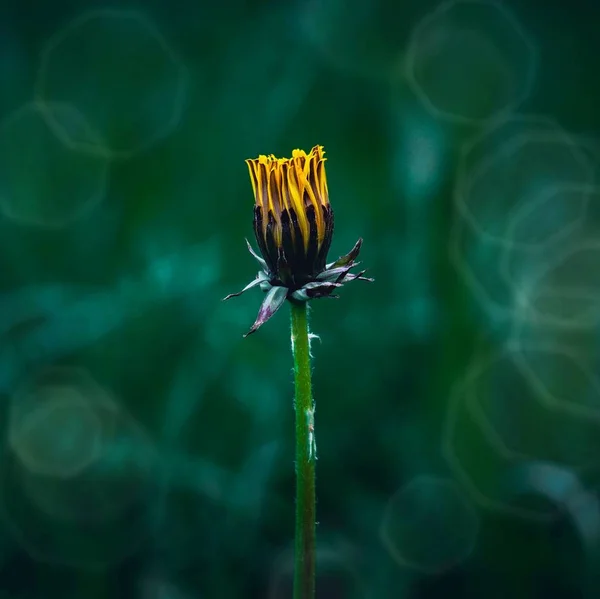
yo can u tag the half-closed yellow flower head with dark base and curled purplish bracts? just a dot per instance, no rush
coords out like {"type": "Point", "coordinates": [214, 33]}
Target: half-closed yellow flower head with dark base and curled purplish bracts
{"type": "Point", "coordinates": [293, 225]}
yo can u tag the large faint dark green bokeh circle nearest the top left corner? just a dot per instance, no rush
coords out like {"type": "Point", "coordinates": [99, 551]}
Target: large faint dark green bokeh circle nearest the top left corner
{"type": "Point", "coordinates": [119, 71]}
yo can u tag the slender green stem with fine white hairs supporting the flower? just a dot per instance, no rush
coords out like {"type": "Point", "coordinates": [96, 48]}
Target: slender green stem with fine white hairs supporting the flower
{"type": "Point", "coordinates": [304, 571]}
